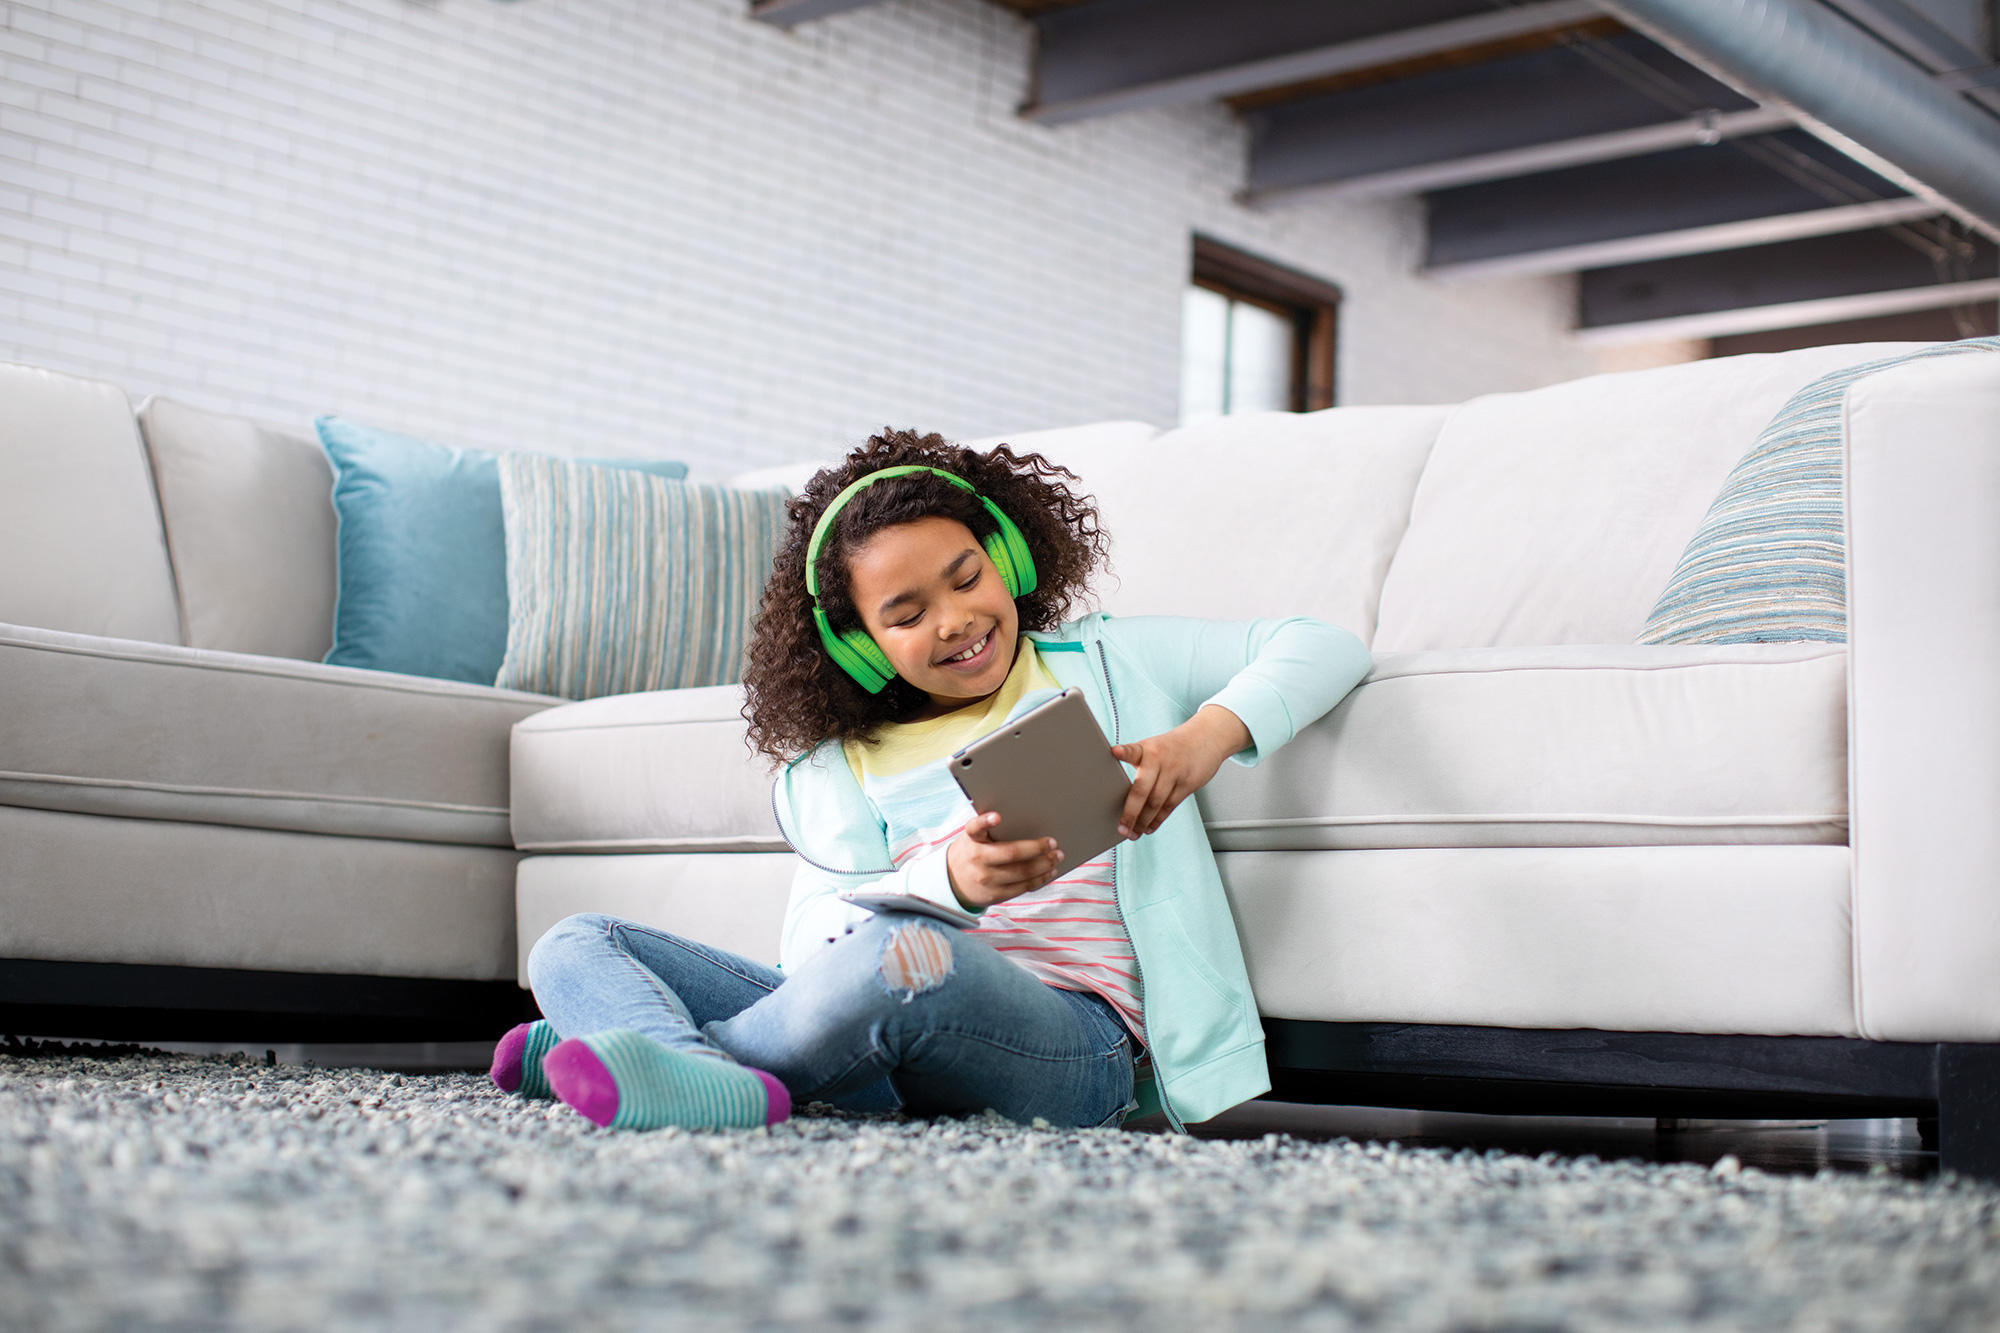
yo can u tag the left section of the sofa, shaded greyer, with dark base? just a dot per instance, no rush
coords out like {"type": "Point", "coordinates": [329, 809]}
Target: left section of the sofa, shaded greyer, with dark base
{"type": "Point", "coordinates": [203, 830]}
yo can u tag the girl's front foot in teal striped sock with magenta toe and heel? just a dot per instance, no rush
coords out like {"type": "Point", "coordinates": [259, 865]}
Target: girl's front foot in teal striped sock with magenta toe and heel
{"type": "Point", "coordinates": [627, 1080]}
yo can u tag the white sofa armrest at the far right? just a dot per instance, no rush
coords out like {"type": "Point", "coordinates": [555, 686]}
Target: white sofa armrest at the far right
{"type": "Point", "coordinates": [1923, 513]}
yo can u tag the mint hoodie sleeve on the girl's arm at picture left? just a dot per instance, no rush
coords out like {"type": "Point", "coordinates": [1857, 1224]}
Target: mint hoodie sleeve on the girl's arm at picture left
{"type": "Point", "coordinates": [843, 848]}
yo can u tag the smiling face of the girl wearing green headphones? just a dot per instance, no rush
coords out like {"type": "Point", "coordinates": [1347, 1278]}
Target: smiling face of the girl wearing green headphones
{"type": "Point", "coordinates": [935, 603]}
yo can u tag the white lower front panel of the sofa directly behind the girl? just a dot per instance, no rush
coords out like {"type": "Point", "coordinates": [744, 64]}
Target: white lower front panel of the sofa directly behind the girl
{"type": "Point", "coordinates": [1681, 940]}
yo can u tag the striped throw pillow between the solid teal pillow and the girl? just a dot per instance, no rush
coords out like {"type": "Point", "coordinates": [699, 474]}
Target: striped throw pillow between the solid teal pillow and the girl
{"type": "Point", "coordinates": [619, 581]}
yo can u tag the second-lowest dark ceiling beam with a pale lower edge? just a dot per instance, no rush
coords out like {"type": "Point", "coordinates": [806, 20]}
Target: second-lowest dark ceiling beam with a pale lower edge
{"type": "Point", "coordinates": [1741, 193]}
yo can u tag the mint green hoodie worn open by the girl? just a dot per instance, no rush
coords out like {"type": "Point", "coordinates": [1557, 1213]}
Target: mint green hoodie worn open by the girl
{"type": "Point", "coordinates": [1143, 676]}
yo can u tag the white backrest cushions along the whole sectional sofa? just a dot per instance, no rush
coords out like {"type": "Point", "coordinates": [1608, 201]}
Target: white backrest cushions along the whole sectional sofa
{"type": "Point", "coordinates": [1537, 517]}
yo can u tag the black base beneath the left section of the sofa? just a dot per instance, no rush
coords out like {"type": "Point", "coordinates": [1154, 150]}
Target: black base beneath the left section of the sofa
{"type": "Point", "coordinates": [137, 1002]}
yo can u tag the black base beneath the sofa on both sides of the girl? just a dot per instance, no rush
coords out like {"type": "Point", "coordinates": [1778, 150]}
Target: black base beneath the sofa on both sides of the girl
{"type": "Point", "coordinates": [1949, 1092]}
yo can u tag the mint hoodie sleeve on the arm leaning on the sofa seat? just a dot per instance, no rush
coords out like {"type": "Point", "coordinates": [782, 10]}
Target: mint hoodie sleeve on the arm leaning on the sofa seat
{"type": "Point", "coordinates": [1277, 676]}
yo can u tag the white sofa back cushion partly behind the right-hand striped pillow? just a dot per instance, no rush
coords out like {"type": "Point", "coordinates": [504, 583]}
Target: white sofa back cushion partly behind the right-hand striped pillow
{"type": "Point", "coordinates": [1557, 515]}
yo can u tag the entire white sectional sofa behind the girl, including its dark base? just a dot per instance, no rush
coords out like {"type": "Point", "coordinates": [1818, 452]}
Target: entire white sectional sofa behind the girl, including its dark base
{"type": "Point", "coordinates": [1529, 864]}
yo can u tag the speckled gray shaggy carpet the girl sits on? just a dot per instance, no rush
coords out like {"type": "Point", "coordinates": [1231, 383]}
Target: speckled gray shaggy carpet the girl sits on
{"type": "Point", "coordinates": [173, 1192]}
